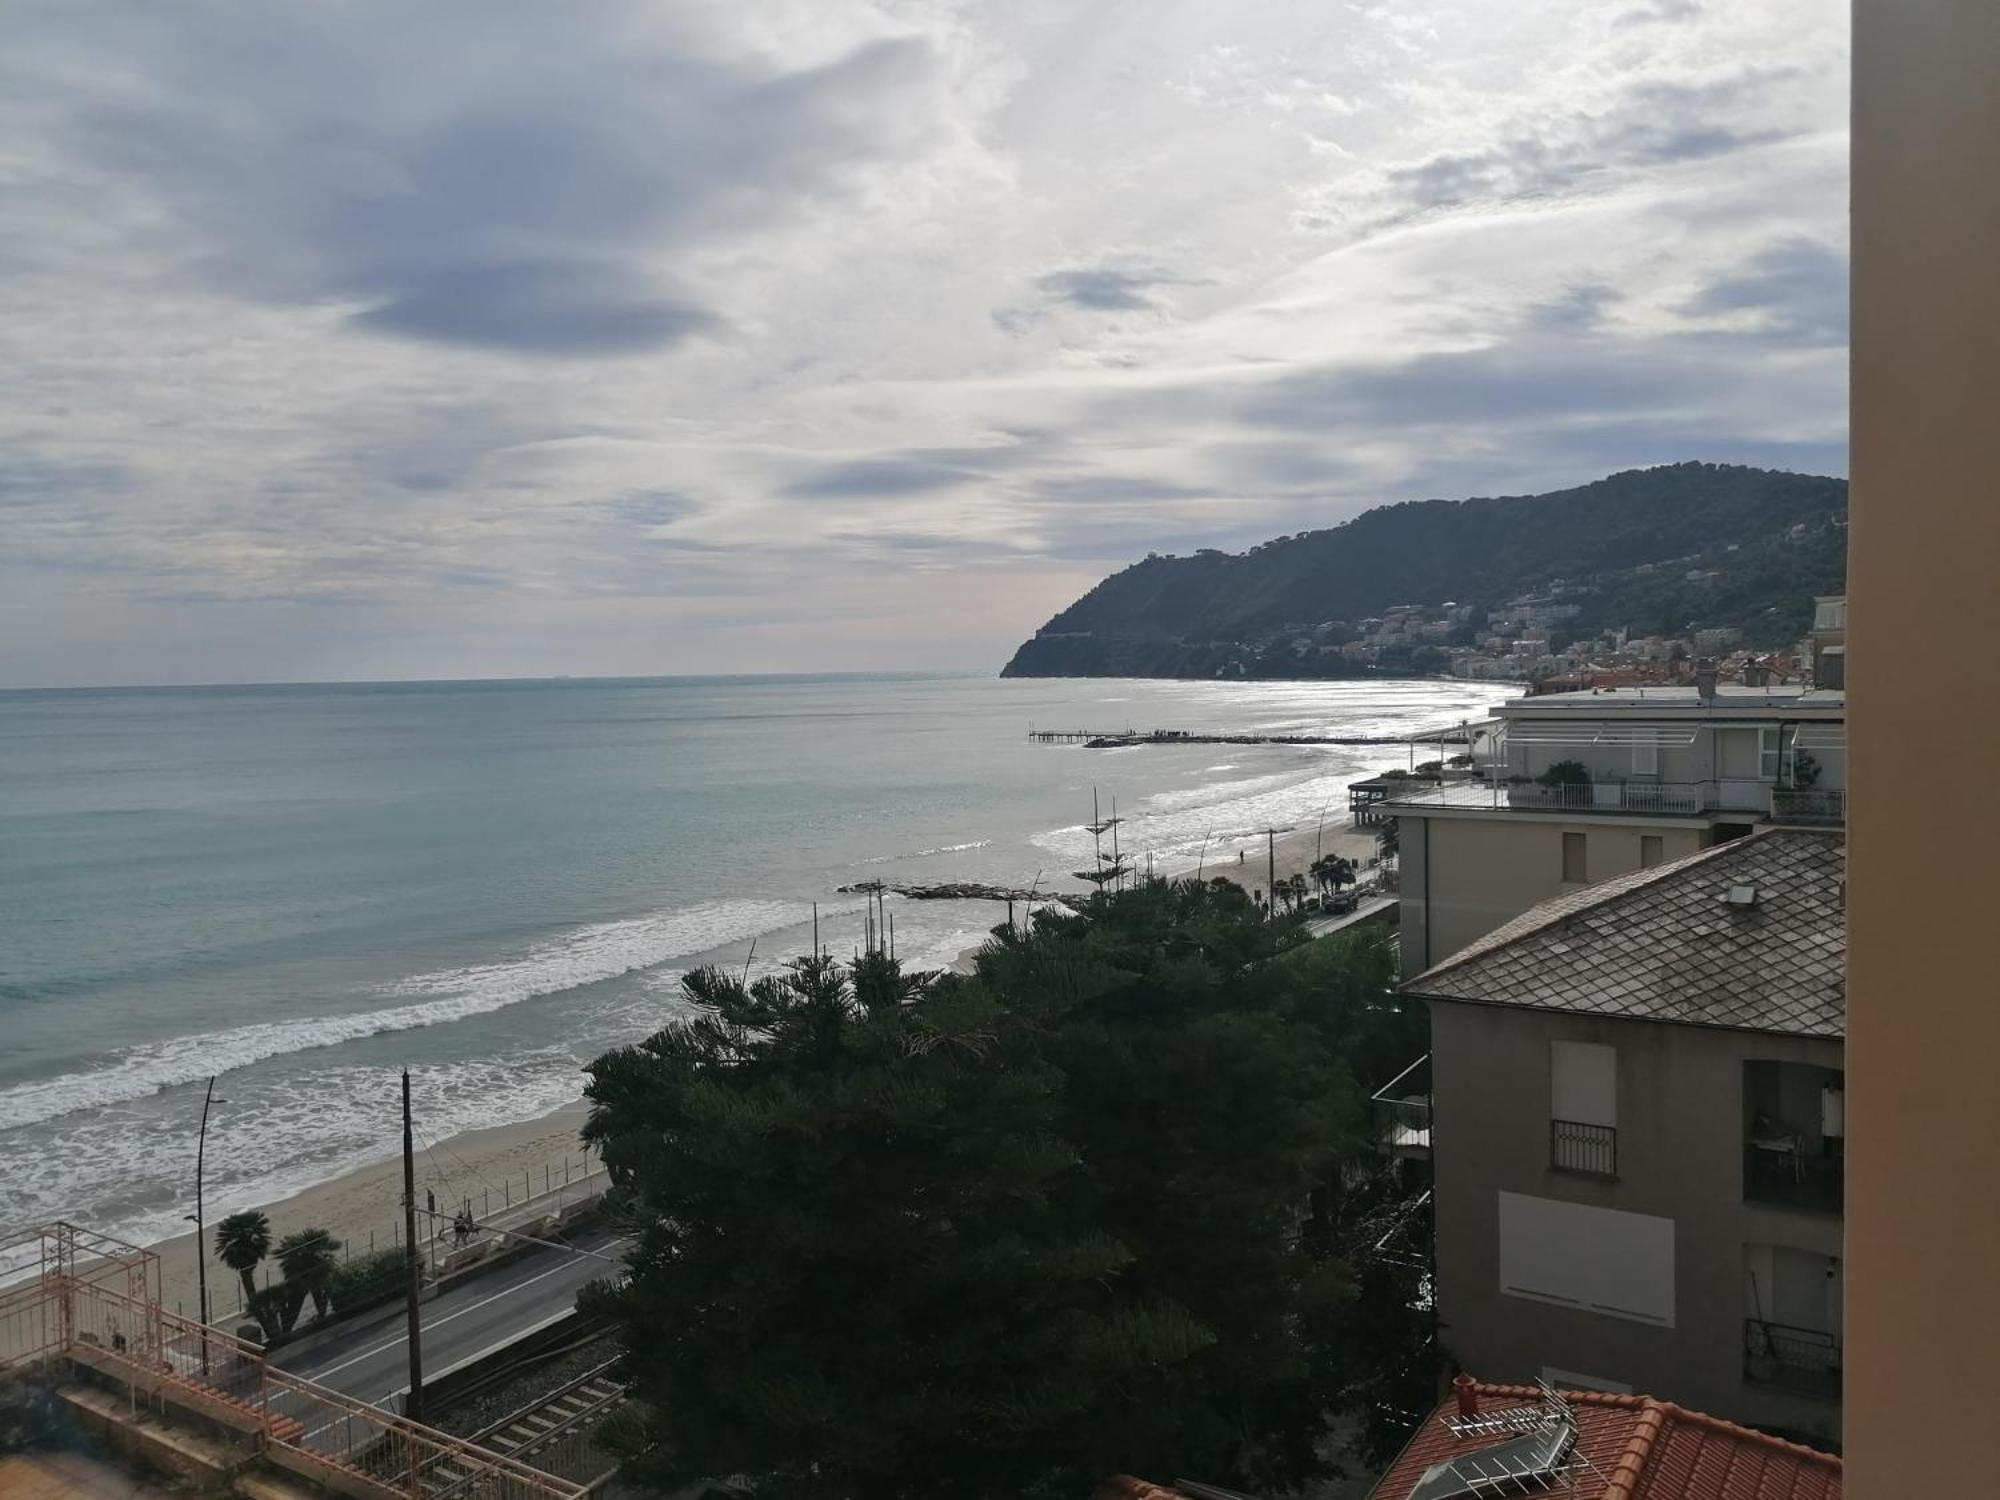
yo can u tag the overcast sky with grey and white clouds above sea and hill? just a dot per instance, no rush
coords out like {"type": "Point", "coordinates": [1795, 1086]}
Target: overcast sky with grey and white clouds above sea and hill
{"type": "Point", "coordinates": [635, 337]}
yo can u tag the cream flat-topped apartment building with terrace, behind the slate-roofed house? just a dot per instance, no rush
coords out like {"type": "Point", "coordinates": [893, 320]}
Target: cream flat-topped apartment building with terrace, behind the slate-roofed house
{"type": "Point", "coordinates": [1571, 789]}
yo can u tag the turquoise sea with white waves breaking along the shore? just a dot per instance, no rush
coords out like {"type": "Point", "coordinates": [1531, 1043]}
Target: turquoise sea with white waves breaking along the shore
{"type": "Point", "coordinates": [303, 891]}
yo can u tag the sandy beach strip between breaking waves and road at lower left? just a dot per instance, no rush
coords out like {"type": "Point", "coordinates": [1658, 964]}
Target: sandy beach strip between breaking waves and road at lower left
{"type": "Point", "coordinates": [365, 1207]}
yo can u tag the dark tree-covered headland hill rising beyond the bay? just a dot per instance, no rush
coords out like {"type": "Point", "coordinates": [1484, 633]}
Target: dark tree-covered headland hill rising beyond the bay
{"type": "Point", "coordinates": [1661, 551]}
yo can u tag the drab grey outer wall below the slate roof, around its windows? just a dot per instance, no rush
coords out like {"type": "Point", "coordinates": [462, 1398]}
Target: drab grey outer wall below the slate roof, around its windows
{"type": "Point", "coordinates": [1679, 1157]}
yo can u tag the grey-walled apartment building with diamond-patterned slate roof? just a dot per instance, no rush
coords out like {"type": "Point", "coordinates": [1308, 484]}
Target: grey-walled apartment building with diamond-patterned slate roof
{"type": "Point", "coordinates": [1639, 1137]}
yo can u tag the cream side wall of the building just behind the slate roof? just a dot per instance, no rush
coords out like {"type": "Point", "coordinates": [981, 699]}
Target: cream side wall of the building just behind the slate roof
{"type": "Point", "coordinates": [1463, 877]}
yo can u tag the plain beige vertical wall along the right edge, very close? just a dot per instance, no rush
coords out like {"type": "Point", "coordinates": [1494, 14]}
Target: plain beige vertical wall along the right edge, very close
{"type": "Point", "coordinates": [1925, 565]}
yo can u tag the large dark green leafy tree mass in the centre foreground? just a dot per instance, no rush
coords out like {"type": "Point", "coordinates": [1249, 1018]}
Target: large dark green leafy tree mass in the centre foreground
{"type": "Point", "coordinates": [1103, 1205]}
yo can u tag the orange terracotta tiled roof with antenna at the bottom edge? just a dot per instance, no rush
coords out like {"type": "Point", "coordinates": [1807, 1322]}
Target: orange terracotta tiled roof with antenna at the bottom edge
{"type": "Point", "coordinates": [1635, 1449]}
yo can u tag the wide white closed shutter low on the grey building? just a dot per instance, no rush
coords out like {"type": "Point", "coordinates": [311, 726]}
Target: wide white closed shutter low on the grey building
{"type": "Point", "coordinates": [1593, 1259]}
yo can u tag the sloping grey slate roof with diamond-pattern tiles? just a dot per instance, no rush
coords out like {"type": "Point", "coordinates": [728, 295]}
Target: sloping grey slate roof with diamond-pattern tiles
{"type": "Point", "coordinates": [1665, 945]}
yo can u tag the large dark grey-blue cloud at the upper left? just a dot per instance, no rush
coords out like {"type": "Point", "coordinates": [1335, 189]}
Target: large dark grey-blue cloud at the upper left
{"type": "Point", "coordinates": [489, 201]}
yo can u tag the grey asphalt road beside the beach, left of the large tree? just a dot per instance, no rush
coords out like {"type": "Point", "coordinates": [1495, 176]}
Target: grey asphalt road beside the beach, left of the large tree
{"type": "Point", "coordinates": [479, 1315]}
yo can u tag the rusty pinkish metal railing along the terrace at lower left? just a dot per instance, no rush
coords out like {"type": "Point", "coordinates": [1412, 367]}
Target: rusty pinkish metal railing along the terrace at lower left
{"type": "Point", "coordinates": [299, 1425]}
